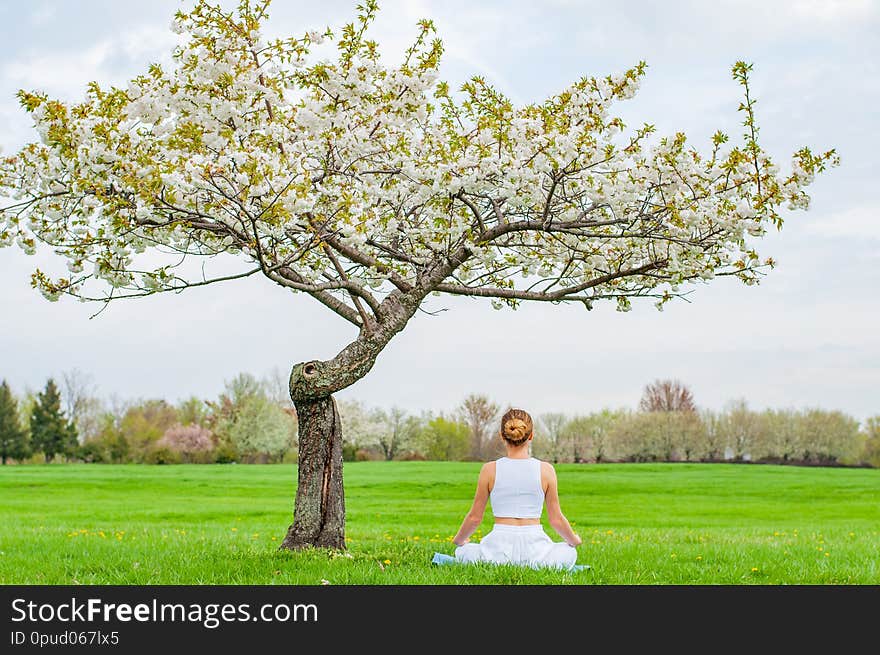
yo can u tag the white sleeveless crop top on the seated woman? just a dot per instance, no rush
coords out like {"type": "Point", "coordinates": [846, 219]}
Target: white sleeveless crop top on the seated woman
{"type": "Point", "coordinates": [517, 492]}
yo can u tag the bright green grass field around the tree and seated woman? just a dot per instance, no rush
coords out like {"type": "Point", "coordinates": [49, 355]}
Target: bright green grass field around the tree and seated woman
{"type": "Point", "coordinates": [641, 524]}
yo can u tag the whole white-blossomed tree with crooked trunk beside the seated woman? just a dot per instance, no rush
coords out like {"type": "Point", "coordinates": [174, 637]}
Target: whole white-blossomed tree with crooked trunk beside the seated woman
{"type": "Point", "coordinates": [370, 186]}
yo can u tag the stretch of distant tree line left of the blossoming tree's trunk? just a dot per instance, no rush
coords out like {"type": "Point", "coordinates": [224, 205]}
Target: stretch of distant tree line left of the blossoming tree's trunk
{"type": "Point", "coordinates": [251, 421]}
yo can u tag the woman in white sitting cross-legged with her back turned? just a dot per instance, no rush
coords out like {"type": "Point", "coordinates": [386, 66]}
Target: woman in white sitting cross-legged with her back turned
{"type": "Point", "coordinates": [518, 486]}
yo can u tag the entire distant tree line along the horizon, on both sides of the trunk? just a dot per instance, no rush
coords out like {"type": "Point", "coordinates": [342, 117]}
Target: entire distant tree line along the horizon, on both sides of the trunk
{"type": "Point", "coordinates": [253, 420]}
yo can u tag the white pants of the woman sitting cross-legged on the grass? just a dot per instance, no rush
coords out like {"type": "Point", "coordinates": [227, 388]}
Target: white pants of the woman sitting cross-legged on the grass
{"type": "Point", "coordinates": [519, 544]}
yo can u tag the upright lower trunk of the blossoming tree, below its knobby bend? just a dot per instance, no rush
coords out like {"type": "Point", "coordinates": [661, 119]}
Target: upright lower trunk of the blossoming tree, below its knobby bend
{"type": "Point", "coordinates": [319, 511]}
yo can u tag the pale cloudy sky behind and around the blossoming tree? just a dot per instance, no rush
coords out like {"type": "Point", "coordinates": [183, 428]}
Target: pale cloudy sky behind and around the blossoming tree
{"type": "Point", "coordinates": [806, 337]}
